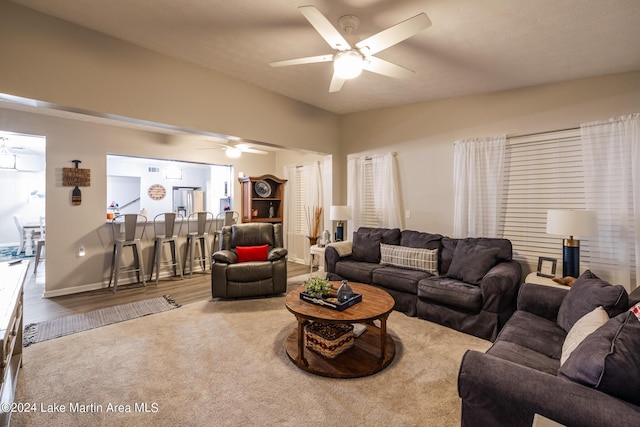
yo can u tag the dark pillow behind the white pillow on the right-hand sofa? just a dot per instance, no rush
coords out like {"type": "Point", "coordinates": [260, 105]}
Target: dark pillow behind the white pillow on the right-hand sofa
{"type": "Point", "coordinates": [587, 293]}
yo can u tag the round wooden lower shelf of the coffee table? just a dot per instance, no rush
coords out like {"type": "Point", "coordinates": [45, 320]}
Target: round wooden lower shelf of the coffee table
{"type": "Point", "coordinates": [361, 360]}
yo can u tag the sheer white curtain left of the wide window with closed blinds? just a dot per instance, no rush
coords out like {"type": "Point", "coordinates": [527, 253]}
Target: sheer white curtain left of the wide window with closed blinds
{"type": "Point", "coordinates": [478, 171]}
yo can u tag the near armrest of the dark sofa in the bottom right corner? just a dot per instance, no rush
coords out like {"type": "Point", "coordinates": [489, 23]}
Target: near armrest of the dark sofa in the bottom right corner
{"type": "Point", "coordinates": [496, 392]}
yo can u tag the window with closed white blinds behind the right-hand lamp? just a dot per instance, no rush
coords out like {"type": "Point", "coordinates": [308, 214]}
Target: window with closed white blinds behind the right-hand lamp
{"type": "Point", "coordinates": [542, 171]}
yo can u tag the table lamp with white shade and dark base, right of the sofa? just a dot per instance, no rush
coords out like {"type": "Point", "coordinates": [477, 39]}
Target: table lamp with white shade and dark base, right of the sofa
{"type": "Point", "coordinates": [569, 222]}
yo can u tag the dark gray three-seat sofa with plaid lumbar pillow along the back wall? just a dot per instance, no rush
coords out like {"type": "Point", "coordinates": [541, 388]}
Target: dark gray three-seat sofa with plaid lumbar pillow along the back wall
{"type": "Point", "coordinates": [466, 284]}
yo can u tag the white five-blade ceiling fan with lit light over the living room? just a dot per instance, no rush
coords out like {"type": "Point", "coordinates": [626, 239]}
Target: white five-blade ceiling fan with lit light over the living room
{"type": "Point", "coordinates": [349, 61]}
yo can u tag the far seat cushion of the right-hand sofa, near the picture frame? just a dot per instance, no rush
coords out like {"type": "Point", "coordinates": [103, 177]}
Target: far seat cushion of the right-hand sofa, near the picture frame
{"type": "Point", "coordinates": [535, 333]}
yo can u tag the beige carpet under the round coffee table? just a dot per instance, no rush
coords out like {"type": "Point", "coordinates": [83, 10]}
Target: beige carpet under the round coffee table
{"type": "Point", "coordinates": [223, 363]}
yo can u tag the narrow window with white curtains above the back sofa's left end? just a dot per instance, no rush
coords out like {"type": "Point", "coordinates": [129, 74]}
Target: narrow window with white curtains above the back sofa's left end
{"type": "Point", "coordinates": [373, 191]}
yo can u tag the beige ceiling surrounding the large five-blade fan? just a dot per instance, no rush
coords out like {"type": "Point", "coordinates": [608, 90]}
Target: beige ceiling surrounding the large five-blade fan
{"type": "Point", "coordinates": [473, 46]}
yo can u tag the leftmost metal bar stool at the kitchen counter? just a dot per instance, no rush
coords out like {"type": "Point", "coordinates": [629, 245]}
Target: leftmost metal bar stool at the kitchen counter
{"type": "Point", "coordinates": [130, 237]}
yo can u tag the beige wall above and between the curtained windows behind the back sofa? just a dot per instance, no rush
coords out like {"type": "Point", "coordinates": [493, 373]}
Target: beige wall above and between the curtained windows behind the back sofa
{"type": "Point", "coordinates": [423, 134]}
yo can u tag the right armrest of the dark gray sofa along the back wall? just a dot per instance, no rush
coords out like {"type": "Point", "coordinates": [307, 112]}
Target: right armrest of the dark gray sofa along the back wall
{"type": "Point", "coordinates": [500, 286]}
